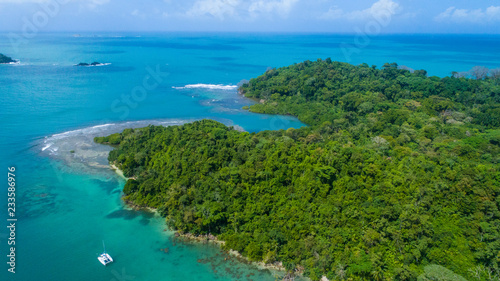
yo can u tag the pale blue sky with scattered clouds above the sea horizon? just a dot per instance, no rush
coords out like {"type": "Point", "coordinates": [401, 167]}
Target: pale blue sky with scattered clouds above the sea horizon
{"type": "Point", "coordinates": [381, 16]}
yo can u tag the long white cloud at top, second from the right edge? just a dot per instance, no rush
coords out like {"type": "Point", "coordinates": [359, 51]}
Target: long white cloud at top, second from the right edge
{"type": "Point", "coordinates": [379, 9]}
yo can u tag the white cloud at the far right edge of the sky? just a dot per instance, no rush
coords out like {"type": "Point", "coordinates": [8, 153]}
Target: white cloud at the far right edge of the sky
{"type": "Point", "coordinates": [452, 14]}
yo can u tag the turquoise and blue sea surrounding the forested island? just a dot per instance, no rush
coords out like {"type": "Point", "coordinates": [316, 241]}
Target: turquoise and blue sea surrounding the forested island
{"type": "Point", "coordinates": [68, 199]}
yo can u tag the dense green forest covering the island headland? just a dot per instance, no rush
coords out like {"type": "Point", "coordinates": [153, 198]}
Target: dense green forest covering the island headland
{"type": "Point", "coordinates": [396, 178]}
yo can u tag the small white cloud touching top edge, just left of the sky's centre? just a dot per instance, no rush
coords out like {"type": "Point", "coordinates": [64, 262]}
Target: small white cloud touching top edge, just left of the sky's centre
{"type": "Point", "coordinates": [217, 8]}
